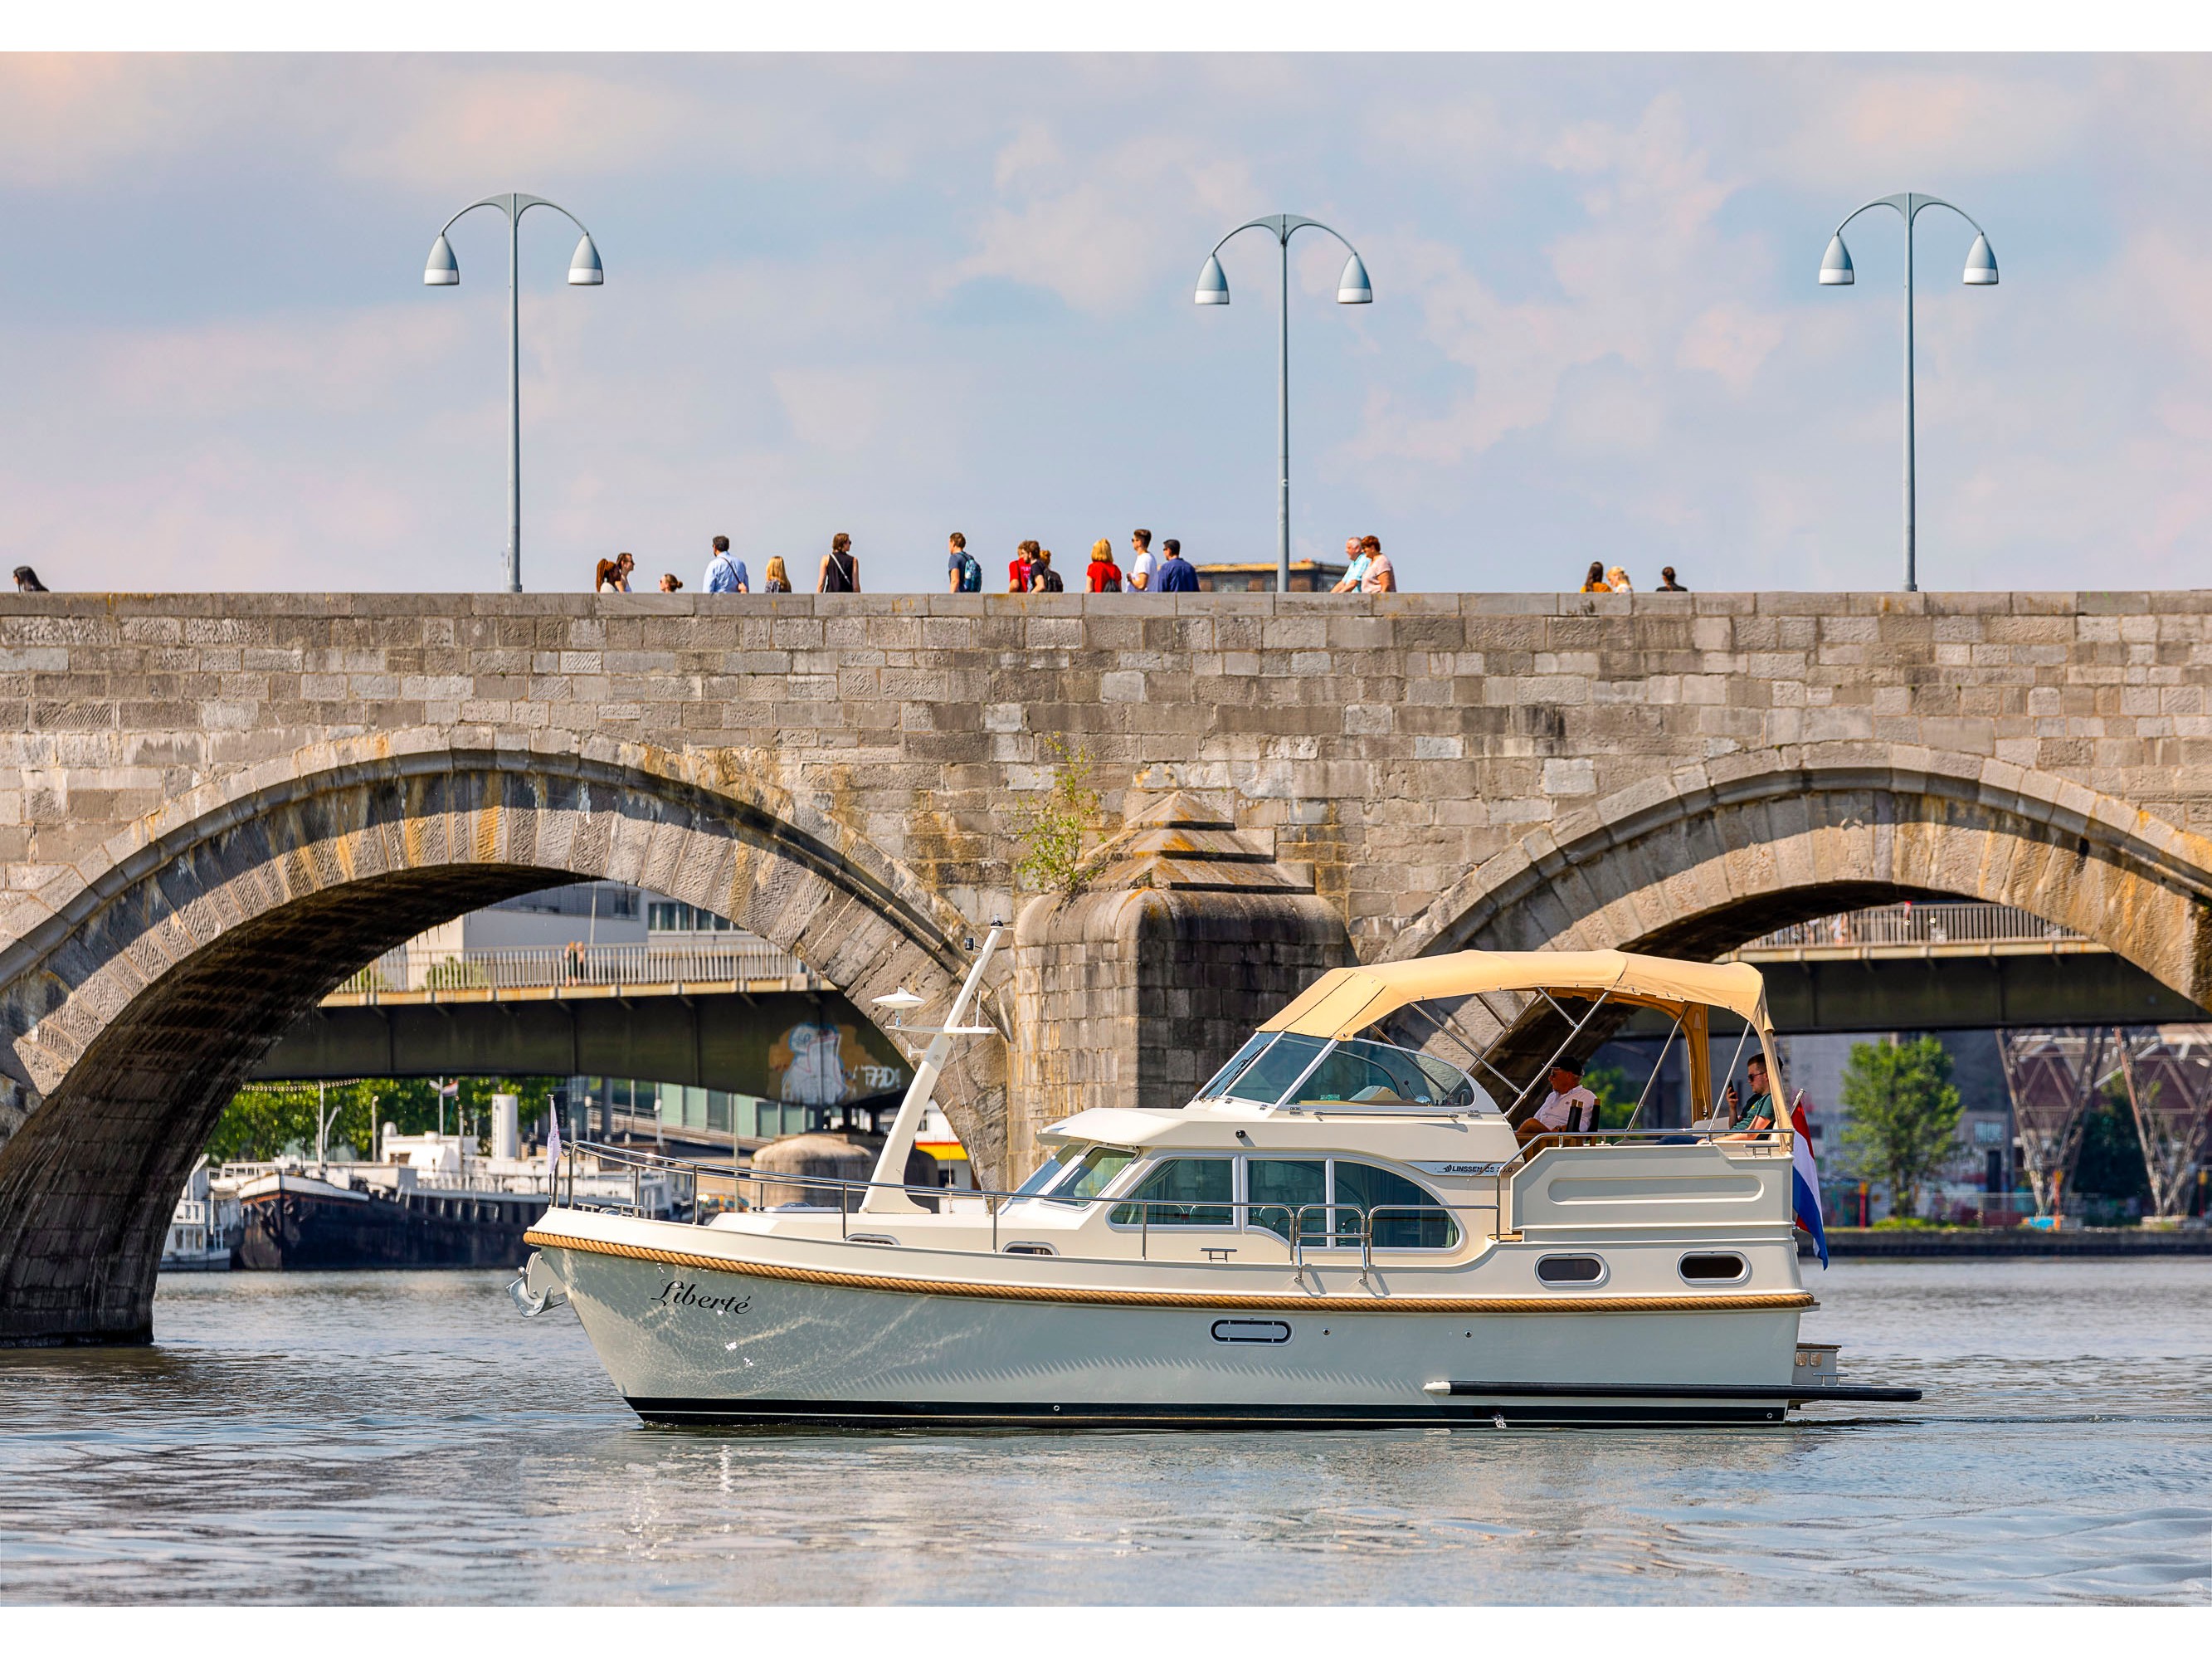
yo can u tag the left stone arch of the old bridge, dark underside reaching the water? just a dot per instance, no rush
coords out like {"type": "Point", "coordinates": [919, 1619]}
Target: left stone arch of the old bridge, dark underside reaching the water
{"type": "Point", "coordinates": [163, 970]}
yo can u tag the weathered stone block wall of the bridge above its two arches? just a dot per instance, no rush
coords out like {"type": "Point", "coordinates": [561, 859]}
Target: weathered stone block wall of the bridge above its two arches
{"type": "Point", "coordinates": [1395, 744]}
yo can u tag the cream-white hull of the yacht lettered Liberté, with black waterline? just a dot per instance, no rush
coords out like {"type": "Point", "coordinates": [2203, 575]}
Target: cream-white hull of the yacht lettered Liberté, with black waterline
{"type": "Point", "coordinates": [775, 1346]}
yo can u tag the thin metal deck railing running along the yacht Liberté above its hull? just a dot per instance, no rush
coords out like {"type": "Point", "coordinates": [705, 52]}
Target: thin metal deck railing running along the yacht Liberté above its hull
{"type": "Point", "coordinates": [842, 1196]}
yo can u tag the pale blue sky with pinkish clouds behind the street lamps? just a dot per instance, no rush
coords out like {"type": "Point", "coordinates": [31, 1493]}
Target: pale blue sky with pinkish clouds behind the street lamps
{"type": "Point", "coordinates": [901, 295]}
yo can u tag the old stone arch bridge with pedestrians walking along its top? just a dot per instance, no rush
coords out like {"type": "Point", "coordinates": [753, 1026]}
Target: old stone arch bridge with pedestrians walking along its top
{"type": "Point", "coordinates": [216, 808]}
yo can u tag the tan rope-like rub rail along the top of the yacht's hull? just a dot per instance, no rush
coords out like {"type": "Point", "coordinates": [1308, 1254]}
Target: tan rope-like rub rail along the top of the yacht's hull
{"type": "Point", "coordinates": [1762, 1302]}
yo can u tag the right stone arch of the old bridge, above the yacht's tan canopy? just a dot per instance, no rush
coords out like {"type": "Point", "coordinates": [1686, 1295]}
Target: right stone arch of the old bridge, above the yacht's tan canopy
{"type": "Point", "coordinates": [1709, 857]}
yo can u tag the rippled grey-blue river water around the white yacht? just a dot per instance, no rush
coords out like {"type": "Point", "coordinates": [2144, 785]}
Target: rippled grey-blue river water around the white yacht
{"type": "Point", "coordinates": [410, 1439]}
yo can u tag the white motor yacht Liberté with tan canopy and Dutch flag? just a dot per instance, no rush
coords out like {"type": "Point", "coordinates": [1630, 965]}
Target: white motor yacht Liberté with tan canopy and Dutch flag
{"type": "Point", "coordinates": [1346, 1227]}
